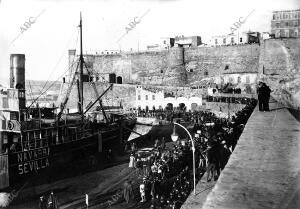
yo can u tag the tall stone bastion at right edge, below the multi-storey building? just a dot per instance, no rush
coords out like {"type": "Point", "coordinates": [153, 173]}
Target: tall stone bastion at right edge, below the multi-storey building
{"type": "Point", "coordinates": [280, 68]}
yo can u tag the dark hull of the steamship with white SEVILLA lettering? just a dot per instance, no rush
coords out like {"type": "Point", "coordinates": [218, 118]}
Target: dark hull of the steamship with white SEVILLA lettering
{"type": "Point", "coordinates": [57, 161]}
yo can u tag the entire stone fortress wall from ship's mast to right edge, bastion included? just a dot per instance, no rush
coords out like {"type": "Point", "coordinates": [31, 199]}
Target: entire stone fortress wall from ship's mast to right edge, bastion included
{"type": "Point", "coordinates": [182, 67]}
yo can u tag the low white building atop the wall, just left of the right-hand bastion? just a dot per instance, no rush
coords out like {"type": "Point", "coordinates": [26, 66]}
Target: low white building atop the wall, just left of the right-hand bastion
{"type": "Point", "coordinates": [235, 39]}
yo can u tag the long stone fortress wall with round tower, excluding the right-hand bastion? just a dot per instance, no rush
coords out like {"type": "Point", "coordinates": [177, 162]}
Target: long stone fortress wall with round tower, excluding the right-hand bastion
{"type": "Point", "coordinates": [176, 66]}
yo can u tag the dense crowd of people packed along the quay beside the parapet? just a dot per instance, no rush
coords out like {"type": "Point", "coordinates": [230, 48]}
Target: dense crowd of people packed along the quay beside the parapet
{"type": "Point", "coordinates": [166, 171]}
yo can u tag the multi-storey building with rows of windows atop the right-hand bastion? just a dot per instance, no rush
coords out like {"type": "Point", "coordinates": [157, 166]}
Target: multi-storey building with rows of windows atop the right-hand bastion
{"type": "Point", "coordinates": [286, 23]}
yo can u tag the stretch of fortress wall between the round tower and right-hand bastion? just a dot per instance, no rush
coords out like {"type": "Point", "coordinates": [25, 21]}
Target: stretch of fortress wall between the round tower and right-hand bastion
{"type": "Point", "coordinates": [213, 61]}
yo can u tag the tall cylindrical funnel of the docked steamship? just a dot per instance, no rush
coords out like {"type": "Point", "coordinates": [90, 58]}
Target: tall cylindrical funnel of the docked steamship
{"type": "Point", "coordinates": [17, 71]}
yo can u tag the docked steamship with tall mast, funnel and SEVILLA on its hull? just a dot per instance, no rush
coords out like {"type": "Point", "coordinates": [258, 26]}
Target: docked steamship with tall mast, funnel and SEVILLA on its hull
{"type": "Point", "coordinates": [40, 145]}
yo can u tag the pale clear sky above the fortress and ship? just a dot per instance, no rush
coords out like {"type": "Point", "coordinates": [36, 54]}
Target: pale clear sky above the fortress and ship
{"type": "Point", "coordinates": [52, 26]}
